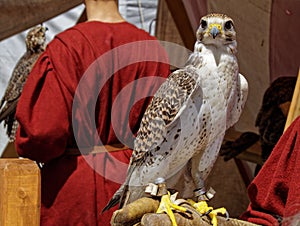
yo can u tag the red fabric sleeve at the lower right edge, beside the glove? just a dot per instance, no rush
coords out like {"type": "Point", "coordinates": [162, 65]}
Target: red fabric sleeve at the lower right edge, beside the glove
{"type": "Point", "coordinates": [275, 192]}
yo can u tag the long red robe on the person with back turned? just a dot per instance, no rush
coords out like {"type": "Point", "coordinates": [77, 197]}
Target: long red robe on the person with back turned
{"type": "Point", "coordinates": [76, 188]}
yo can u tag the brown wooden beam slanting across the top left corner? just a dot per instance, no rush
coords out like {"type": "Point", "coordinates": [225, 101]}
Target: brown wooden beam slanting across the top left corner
{"type": "Point", "coordinates": [17, 16]}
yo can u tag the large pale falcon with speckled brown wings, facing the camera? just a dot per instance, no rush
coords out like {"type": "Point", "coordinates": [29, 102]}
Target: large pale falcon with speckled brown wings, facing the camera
{"type": "Point", "coordinates": [184, 125]}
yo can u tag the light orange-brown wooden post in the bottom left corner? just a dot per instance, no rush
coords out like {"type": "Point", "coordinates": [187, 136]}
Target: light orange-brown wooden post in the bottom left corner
{"type": "Point", "coordinates": [19, 192]}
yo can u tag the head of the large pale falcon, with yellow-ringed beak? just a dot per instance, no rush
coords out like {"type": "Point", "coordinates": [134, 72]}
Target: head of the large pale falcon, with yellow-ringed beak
{"type": "Point", "coordinates": [216, 29]}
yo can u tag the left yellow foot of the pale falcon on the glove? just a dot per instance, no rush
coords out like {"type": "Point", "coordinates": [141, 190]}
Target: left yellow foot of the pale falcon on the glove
{"type": "Point", "coordinates": [166, 206]}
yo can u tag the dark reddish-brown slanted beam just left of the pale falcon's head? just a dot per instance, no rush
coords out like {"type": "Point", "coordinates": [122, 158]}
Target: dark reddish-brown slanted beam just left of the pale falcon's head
{"type": "Point", "coordinates": [182, 22]}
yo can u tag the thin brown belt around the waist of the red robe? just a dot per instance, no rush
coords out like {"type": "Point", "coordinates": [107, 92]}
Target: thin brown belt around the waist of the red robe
{"type": "Point", "coordinates": [96, 149]}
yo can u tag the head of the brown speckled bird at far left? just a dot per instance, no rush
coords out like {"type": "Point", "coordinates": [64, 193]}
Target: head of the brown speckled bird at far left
{"type": "Point", "coordinates": [36, 39]}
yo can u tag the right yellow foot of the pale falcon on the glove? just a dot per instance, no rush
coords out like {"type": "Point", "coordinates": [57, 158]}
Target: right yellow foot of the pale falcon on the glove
{"type": "Point", "coordinates": [204, 209]}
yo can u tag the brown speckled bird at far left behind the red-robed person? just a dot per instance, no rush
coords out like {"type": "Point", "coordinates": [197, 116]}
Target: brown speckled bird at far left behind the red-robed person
{"type": "Point", "coordinates": [35, 45]}
